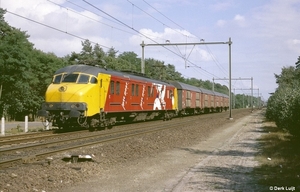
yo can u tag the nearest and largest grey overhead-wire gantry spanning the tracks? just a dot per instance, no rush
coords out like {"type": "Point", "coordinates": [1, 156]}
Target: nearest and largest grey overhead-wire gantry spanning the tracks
{"type": "Point", "coordinates": [185, 44]}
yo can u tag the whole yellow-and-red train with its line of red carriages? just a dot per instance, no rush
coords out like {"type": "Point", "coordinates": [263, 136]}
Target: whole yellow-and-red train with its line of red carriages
{"type": "Point", "coordinates": [91, 97]}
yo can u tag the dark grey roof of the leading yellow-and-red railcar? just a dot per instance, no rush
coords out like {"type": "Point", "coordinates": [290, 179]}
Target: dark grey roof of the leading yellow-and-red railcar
{"type": "Point", "coordinates": [94, 70]}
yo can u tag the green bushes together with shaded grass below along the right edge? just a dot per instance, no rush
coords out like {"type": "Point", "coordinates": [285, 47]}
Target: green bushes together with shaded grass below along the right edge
{"type": "Point", "coordinates": [280, 153]}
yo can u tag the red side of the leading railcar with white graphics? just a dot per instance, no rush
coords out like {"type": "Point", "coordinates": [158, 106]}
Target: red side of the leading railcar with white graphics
{"type": "Point", "coordinates": [131, 95]}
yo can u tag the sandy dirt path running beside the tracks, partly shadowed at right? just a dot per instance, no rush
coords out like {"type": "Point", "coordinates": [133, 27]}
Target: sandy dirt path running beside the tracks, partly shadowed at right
{"type": "Point", "coordinates": [221, 161]}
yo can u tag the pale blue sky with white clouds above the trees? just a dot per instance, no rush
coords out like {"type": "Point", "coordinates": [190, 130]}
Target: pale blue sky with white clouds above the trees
{"type": "Point", "coordinates": [265, 34]}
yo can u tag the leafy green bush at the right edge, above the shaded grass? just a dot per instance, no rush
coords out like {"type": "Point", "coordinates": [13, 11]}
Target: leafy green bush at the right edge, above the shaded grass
{"type": "Point", "coordinates": [284, 104]}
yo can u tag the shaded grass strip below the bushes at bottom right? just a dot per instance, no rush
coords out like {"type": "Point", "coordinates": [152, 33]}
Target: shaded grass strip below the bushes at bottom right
{"type": "Point", "coordinates": [279, 158]}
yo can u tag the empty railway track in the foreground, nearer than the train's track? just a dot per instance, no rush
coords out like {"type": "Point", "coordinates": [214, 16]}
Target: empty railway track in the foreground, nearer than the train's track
{"type": "Point", "coordinates": [29, 153]}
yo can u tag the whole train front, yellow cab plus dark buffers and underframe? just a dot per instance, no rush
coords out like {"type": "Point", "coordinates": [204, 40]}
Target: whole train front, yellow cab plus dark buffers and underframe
{"type": "Point", "coordinates": [71, 99]}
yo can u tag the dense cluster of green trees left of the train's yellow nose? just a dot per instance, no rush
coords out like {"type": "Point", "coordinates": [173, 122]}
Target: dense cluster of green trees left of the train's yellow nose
{"type": "Point", "coordinates": [24, 72]}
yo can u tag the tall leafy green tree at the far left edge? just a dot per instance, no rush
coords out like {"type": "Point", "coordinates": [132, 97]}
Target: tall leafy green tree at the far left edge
{"type": "Point", "coordinates": [15, 68]}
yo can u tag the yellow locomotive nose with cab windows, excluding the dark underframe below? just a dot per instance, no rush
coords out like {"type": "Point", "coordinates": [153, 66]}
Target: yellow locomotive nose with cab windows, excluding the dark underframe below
{"type": "Point", "coordinates": [72, 94]}
